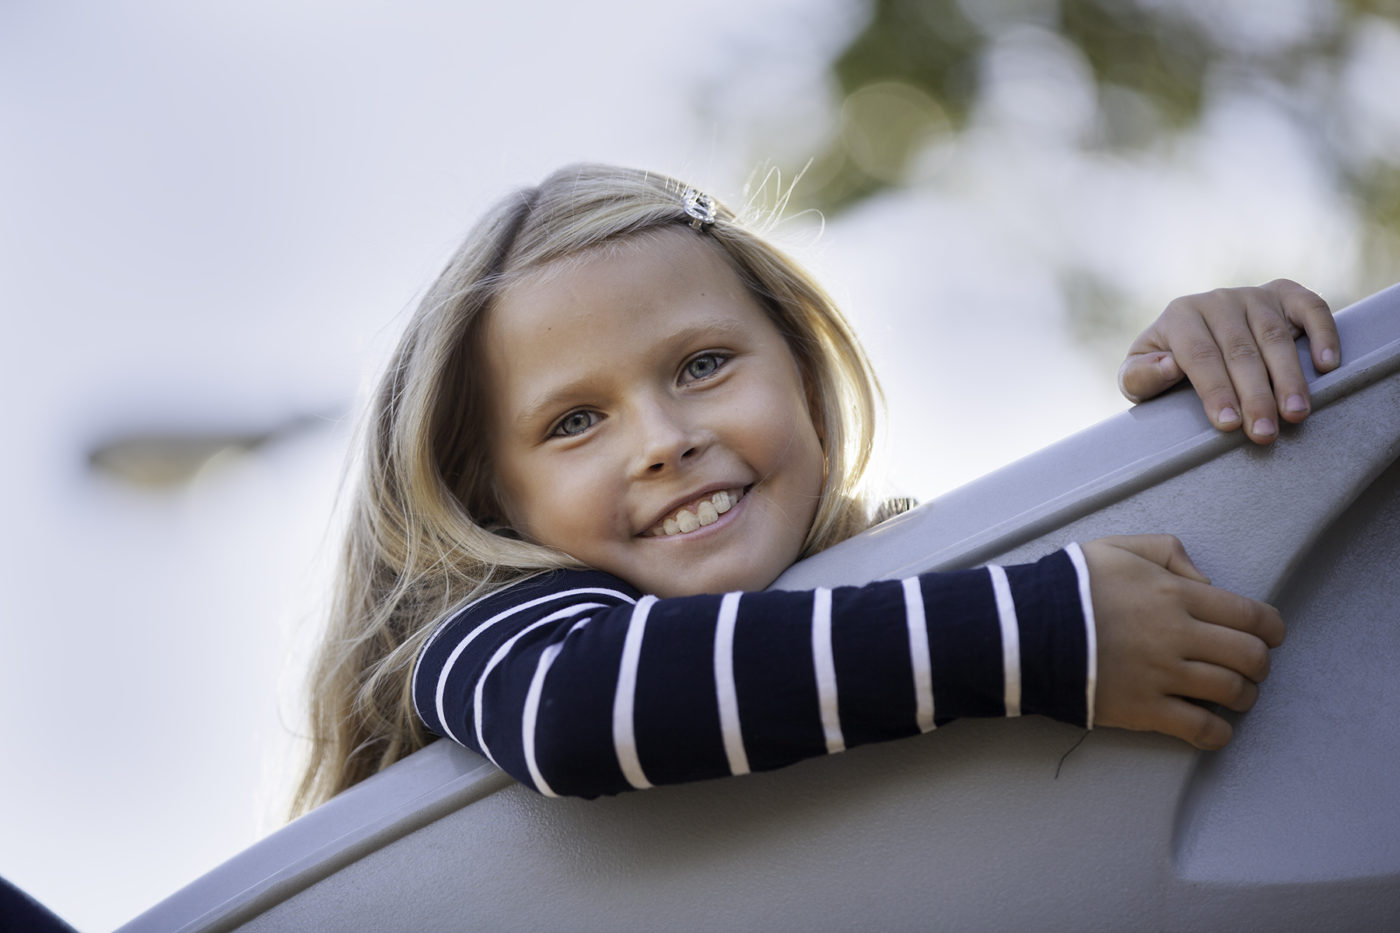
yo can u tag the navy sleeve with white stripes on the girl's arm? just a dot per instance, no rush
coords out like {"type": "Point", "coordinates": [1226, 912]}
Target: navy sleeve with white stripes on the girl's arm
{"type": "Point", "coordinates": [577, 684]}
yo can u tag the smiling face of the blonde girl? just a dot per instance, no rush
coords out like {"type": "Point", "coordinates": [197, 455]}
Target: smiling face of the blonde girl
{"type": "Point", "coordinates": [650, 421]}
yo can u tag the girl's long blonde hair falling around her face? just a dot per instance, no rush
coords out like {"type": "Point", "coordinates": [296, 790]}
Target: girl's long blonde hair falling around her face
{"type": "Point", "coordinates": [425, 530]}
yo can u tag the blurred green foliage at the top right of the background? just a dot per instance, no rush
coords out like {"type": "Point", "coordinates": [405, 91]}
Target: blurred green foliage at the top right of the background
{"type": "Point", "coordinates": [915, 75]}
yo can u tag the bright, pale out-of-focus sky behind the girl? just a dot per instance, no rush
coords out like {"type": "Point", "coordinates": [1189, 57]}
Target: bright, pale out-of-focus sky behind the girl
{"type": "Point", "coordinates": [216, 216]}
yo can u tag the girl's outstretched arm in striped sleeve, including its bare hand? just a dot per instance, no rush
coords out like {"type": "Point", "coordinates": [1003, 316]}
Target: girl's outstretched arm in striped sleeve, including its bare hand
{"type": "Point", "coordinates": [576, 684]}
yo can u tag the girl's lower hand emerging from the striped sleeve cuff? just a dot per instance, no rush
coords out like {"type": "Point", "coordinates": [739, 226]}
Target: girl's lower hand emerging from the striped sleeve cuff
{"type": "Point", "coordinates": [1168, 637]}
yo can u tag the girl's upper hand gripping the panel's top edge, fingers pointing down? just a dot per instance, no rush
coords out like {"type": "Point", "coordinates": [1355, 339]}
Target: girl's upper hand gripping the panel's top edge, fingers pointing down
{"type": "Point", "coordinates": [1237, 348]}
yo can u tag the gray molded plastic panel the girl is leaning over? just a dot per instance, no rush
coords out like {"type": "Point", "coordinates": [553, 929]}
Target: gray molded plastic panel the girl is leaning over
{"type": "Point", "coordinates": [985, 824]}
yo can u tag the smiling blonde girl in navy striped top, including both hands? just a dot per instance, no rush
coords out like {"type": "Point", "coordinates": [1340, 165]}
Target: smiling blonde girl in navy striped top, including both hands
{"type": "Point", "coordinates": [618, 417]}
